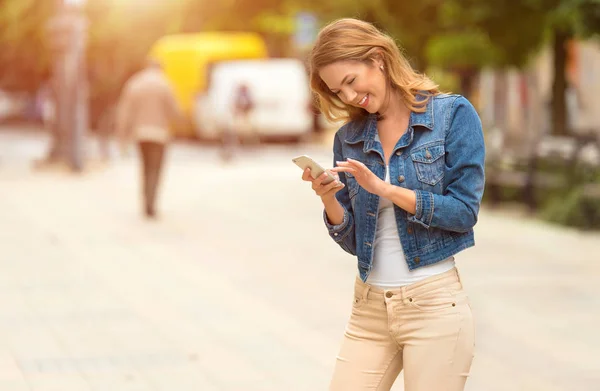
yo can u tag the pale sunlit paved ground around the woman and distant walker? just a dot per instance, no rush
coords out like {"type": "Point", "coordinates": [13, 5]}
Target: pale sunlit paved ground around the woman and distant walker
{"type": "Point", "coordinates": [234, 290]}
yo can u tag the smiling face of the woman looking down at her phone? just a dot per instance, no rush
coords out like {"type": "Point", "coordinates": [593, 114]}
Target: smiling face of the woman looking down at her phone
{"type": "Point", "coordinates": [356, 84]}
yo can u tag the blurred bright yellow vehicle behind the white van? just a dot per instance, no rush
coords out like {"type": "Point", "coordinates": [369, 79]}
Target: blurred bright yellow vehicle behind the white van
{"type": "Point", "coordinates": [187, 59]}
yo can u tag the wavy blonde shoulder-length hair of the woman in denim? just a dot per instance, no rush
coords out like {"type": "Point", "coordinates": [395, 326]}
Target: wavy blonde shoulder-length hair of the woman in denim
{"type": "Point", "coordinates": [355, 40]}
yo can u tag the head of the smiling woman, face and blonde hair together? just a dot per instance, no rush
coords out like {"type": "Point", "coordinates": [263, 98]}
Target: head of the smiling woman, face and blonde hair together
{"type": "Point", "coordinates": [358, 60]}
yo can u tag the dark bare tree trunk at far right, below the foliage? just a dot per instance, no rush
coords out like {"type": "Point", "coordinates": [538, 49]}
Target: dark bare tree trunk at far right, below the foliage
{"type": "Point", "coordinates": [559, 84]}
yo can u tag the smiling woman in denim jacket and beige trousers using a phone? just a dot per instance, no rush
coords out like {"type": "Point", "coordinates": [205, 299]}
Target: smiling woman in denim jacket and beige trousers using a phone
{"type": "Point", "coordinates": [409, 163]}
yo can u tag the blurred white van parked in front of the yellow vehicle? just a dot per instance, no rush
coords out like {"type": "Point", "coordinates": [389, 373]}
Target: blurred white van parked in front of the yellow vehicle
{"type": "Point", "coordinates": [278, 88]}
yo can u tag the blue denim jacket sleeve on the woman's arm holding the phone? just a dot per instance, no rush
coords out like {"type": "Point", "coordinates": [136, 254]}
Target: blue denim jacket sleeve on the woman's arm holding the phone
{"type": "Point", "coordinates": [344, 233]}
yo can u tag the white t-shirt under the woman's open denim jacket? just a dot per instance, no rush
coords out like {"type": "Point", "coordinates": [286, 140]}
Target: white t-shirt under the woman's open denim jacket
{"type": "Point", "coordinates": [389, 264]}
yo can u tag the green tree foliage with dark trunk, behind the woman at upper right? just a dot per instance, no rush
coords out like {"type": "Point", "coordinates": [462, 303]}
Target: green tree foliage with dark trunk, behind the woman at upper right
{"type": "Point", "coordinates": [465, 35]}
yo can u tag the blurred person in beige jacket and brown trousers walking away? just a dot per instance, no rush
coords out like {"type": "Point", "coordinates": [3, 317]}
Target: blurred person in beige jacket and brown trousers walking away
{"type": "Point", "coordinates": [147, 110]}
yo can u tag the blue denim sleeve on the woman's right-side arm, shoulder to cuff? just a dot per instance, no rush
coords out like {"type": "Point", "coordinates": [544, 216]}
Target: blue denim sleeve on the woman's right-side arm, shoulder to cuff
{"type": "Point", "coordinates": [457, 208]}
